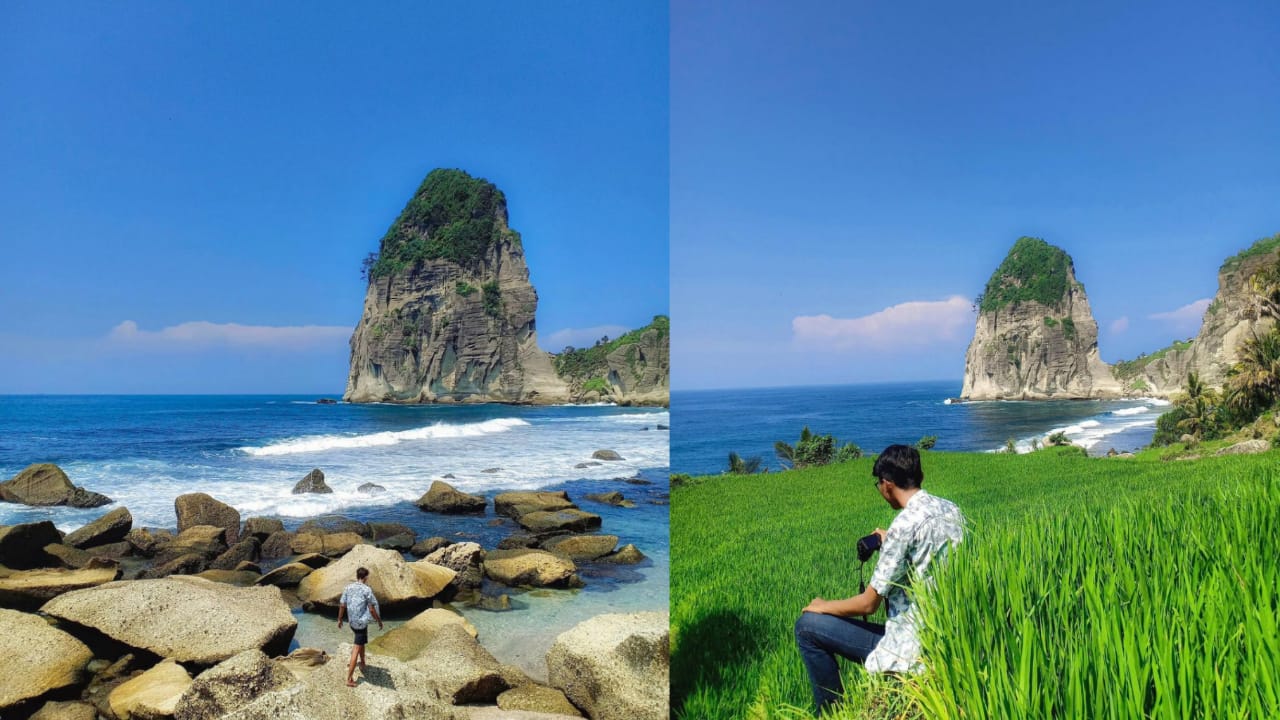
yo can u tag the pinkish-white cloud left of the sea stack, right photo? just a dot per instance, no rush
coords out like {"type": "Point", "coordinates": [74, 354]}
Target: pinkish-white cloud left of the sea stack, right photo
{"type": "Point", "coordinates": [918, 323]}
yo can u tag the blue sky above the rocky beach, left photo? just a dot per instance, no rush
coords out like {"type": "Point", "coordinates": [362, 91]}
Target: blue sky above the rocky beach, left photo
{"type": "Point", "coordinates": [188, 190]}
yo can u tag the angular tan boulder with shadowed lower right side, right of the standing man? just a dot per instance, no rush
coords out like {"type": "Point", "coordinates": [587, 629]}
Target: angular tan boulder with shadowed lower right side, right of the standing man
{"type": "Point", "coordinates": [460, 669]}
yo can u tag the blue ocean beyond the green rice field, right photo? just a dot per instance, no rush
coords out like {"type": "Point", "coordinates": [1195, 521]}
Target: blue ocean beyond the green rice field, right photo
{"type": "Point", "coordinates": [711, 425]}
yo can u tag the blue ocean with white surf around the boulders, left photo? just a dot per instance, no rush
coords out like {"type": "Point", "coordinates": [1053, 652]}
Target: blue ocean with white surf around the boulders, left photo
{"type": "Point", "coordinates": [250, 452]}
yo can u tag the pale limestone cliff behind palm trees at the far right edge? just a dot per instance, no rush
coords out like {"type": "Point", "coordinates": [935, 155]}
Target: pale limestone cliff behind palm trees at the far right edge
{"type": "Point", "coordinates": [1232, 317]}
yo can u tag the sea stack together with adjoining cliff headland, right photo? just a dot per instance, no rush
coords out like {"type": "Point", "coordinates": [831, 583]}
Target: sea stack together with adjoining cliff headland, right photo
{"type": "Point", "coordinates": [1036, 338]}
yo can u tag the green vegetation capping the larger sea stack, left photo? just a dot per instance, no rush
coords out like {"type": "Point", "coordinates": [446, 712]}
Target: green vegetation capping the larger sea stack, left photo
{"type": "Point", "coordinates": [452, 217]}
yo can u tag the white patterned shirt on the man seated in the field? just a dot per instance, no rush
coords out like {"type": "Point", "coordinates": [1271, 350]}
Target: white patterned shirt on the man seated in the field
{"type": "Point", "coordinates": [924, 531]}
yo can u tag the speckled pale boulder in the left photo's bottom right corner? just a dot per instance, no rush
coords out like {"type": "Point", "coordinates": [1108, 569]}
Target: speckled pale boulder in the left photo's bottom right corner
{"type": "Point", "coordinates": [615, 667]}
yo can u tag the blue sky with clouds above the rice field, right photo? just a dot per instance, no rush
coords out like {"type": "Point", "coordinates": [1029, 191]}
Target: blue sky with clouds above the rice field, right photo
{"type": "Point", "coordinates": [875, 162]}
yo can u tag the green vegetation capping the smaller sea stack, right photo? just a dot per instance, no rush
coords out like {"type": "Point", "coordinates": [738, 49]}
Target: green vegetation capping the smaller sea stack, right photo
{"type": "Point", "coordinates": [1034, 271]}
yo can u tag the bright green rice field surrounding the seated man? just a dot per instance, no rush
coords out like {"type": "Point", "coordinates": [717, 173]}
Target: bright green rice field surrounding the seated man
{"type": "Point", "coordinates": [1112, 589]}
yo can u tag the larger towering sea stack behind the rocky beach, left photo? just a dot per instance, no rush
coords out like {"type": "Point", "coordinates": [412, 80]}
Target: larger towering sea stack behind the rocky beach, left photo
{"type": "Point", "coordinates": [450, 309]}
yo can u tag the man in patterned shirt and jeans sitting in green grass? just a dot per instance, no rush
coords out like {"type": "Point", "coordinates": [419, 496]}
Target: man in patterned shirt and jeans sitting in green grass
{"type": "Point", "coordinates": [921, 532]}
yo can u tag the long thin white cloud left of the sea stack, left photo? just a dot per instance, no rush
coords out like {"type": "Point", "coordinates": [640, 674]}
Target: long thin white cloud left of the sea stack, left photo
{"type": "Point", "coordinates": [202, 335]}
